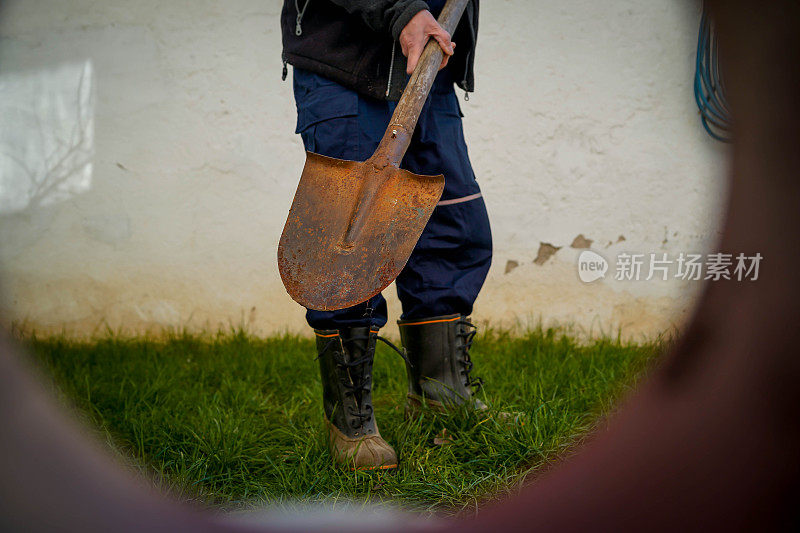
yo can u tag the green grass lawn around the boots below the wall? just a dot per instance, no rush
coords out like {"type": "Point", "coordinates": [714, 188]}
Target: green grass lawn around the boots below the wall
{"type": "Point", "coordinates": [233, 421]}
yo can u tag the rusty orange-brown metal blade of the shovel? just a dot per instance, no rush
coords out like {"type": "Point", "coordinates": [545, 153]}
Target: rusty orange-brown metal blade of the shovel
{"type": "Point", "coordinates": [317, 270]}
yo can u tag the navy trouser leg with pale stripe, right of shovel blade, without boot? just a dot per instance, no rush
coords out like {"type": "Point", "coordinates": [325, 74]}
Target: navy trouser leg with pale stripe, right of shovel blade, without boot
{"type": "Point", "coordinates": [449, 264]}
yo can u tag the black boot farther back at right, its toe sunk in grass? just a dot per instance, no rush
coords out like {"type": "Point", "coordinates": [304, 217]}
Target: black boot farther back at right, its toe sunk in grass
{"type": "Point", "coordinates": [438, 363]}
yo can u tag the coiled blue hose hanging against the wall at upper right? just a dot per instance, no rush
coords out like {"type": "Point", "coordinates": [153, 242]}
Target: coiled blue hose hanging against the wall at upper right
{"type": "Point", "coordinates": [709, 87]}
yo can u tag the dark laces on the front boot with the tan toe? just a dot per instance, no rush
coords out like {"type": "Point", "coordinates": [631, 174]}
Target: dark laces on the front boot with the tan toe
{"type": "Point", "coordinates": [354, 380]}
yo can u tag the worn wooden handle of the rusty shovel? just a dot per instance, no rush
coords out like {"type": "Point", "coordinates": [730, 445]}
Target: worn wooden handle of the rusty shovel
{"type": "Point", "coordinates": [395, 142]}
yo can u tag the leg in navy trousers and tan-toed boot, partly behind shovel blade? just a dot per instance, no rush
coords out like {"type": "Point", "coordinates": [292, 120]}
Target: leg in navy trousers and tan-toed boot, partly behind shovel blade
{"type": "Point", "coordinates": [336, 122]}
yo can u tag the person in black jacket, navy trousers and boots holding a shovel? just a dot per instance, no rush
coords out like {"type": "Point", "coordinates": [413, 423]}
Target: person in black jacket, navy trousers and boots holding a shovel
{"type": "Point", "coordinates": [348, 74]}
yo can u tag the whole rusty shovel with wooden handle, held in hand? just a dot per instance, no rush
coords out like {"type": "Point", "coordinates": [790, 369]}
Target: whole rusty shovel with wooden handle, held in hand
{"type": "Point", "coordinates": [353, 225]}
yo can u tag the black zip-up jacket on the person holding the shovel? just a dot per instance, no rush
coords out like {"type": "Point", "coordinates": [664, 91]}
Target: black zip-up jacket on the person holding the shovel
{"type": "Point", "coordinates": [355, 42]}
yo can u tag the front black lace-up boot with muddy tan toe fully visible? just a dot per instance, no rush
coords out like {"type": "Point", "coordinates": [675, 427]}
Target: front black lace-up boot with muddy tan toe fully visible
{"type": "Point", "coordinates": [345, 361]}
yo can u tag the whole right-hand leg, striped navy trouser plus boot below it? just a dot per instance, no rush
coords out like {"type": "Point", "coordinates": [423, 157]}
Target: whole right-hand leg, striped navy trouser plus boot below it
{"type": "Point", "coordinates": [447, 269]}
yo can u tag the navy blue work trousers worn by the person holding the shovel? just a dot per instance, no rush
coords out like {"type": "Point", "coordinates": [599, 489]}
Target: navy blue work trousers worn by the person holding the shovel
{"type": "Point", "coordinates": [449, 264]}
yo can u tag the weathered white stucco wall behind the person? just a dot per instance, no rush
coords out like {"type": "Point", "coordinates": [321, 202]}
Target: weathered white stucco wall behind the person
{"type": "Point", "coordinates": [148, 161]}
